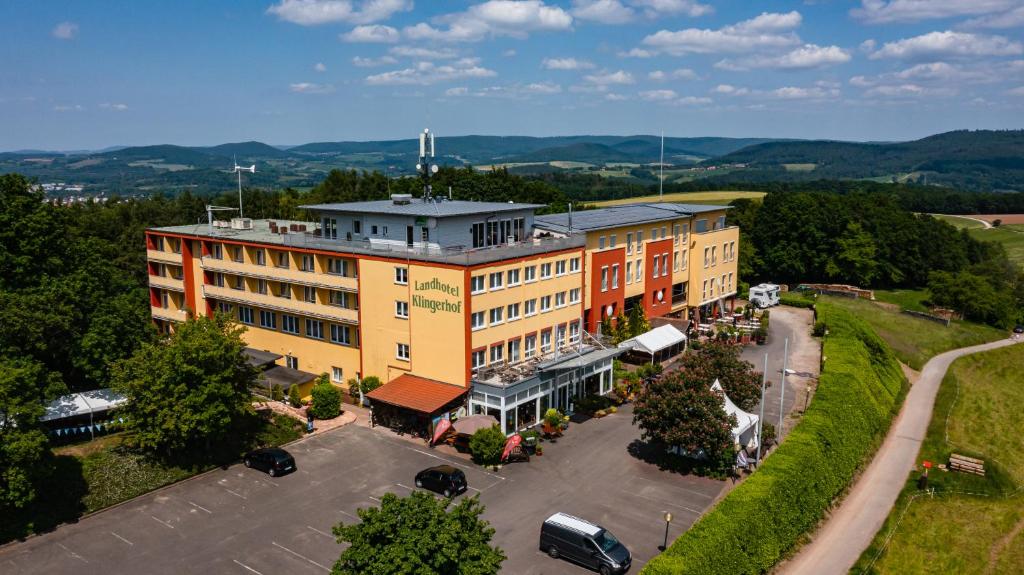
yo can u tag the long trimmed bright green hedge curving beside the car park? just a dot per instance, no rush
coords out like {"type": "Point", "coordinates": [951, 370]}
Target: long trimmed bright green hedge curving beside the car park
{"type": "Point", "coordinates": [760, 521]}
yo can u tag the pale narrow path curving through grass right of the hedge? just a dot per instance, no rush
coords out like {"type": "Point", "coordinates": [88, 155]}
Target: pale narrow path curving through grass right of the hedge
{"type": "Point", "coordinates": [851, 527]}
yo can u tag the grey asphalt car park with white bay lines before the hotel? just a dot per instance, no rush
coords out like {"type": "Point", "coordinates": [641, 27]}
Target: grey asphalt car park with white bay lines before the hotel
{"type": "Point", "coordinates": [242, 521]}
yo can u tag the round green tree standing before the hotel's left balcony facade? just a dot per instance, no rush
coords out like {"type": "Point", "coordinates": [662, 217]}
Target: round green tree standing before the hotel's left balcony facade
{"type": "Point", "coordinates": [190, 391]}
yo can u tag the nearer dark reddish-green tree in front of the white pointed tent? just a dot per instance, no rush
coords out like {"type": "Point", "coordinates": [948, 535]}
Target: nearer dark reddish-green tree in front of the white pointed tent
{"type": "Point", "coordinates": [680, 411]}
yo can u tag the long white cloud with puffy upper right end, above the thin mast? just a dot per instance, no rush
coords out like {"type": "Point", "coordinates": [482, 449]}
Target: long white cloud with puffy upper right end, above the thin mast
{"type": "Point", "coordinates": [764, 32]}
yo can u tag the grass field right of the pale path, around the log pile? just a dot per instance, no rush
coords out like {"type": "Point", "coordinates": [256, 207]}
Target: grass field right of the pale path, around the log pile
{"type": "Point", "coordinates": [956, 533]}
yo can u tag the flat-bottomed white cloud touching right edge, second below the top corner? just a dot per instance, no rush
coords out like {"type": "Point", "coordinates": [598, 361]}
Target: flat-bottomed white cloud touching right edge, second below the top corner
{"type": "Point", "coordinates": [949, 45]}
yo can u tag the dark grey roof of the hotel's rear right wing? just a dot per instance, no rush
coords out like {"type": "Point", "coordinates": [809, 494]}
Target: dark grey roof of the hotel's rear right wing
{"type": "Point", "coordinates": [617, 216]}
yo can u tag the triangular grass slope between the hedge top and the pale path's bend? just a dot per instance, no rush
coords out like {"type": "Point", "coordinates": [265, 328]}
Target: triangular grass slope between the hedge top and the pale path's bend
{"type": "Point", "coordinates": [914, 340]}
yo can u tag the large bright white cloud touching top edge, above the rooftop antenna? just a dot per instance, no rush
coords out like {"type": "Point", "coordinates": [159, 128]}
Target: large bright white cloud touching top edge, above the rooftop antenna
{"type": "Point", "coordinates": [494, 18]}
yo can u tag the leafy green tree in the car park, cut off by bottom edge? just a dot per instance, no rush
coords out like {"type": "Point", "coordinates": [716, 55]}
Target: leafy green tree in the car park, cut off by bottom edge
{"type": "Point", "coordinates": [419, 536]}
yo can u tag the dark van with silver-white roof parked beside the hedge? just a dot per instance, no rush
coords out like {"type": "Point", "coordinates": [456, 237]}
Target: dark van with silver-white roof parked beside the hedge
{"type": "Point", "coordinates": [583, 543]}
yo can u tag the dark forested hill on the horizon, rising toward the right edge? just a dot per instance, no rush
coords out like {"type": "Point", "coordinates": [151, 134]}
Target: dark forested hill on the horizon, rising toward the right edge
{"type": "Point", "coordinates": [982, 160]}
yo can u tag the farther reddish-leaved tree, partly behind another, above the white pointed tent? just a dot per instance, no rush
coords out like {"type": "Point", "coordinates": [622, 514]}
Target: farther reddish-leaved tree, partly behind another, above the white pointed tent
{"type": "Point", "coordinates": [717, 361]}
